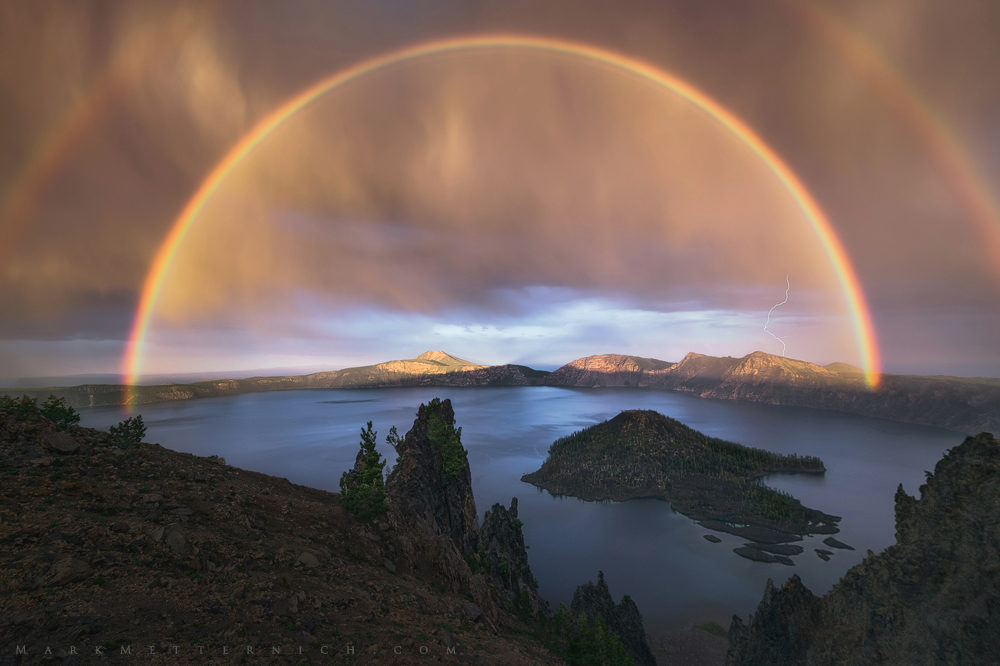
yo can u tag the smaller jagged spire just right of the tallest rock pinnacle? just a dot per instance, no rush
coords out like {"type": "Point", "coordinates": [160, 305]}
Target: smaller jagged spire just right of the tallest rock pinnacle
{"type": "Point", "coordinates": [504, 559]}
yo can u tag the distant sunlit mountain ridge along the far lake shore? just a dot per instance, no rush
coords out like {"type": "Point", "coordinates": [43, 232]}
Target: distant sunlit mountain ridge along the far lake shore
{"type": "Point", "coordinates": [965, 405]}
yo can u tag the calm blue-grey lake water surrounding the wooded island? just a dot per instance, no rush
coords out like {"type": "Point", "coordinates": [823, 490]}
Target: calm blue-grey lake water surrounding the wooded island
{"type": "Point", "coordinates": [645, 549]}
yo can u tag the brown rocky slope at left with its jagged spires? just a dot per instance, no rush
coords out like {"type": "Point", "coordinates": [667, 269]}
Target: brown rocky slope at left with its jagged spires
{"type": "Point", "coordinates": [109, 549]}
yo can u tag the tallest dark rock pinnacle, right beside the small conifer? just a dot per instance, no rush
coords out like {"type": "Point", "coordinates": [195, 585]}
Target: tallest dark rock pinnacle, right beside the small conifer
{"type": "Point", "coordinates": [419, 486]}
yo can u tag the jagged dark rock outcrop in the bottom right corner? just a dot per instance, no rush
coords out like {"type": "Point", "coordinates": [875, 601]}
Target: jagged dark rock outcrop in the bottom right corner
{"type": "Point", "coordinates": [932, 598]}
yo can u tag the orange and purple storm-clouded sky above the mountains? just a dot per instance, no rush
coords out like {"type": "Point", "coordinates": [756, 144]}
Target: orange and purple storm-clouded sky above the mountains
{"type": "Point", "coordinates": [506, 203]}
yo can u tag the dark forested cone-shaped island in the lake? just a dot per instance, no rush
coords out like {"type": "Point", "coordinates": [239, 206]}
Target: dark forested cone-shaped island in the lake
{"type": "Point", "coordinates": [645, 454]}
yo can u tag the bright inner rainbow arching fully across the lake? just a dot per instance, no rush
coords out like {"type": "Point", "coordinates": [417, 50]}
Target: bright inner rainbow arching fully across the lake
{"type": "Point", "coordinates": [863, 326]}
